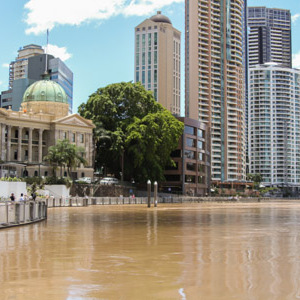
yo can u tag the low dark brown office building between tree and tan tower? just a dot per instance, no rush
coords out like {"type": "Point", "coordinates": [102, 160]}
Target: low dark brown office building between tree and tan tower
{"type": "Point", "coordinates": [191, 174]}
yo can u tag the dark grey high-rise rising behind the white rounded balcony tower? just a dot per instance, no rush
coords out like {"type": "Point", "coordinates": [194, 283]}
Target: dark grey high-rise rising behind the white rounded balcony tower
{"type": "Point", "coordinates": [269, 36]}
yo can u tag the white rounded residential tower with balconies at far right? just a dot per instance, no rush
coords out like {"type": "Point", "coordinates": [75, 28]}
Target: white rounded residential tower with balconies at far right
{"type": "Point", "coordinates": [274, 124]}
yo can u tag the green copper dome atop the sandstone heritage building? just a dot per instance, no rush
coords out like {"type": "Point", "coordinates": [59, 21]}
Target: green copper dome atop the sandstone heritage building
{"type": "Point", "coordinates": [45, 90]}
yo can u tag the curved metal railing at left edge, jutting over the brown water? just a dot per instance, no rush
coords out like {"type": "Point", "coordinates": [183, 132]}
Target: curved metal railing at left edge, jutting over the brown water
{"type": "Point", "coordinates": [17, 213]}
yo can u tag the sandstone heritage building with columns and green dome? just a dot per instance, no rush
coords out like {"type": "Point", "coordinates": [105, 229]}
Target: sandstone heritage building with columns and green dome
{"type": "Point", "coordinates": [41, 121]}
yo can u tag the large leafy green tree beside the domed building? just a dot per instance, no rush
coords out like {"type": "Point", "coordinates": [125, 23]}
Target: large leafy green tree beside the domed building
{"type": "Point", "coordinates": [131, 127]}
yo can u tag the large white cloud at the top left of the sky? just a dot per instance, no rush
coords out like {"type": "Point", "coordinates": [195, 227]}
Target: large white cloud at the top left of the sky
{"type": "Point", "coordinates": [70, 12]}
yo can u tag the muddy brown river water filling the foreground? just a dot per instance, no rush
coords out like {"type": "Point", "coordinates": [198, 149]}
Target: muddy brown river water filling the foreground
{"type": "Point", "coordinates": [197, 251]}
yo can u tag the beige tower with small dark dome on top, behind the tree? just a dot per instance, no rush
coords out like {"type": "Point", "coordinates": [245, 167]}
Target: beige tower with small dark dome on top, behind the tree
{"type": "Point", "coordinates": [157, 60]}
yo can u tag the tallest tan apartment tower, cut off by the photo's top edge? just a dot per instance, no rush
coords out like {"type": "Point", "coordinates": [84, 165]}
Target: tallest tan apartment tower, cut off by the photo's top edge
{"type": "Point", "coordinates": [215, 80]}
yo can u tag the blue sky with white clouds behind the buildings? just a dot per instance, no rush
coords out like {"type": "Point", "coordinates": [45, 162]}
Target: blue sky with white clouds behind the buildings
{"type": "Point", "coordinates": [95, 38]}
